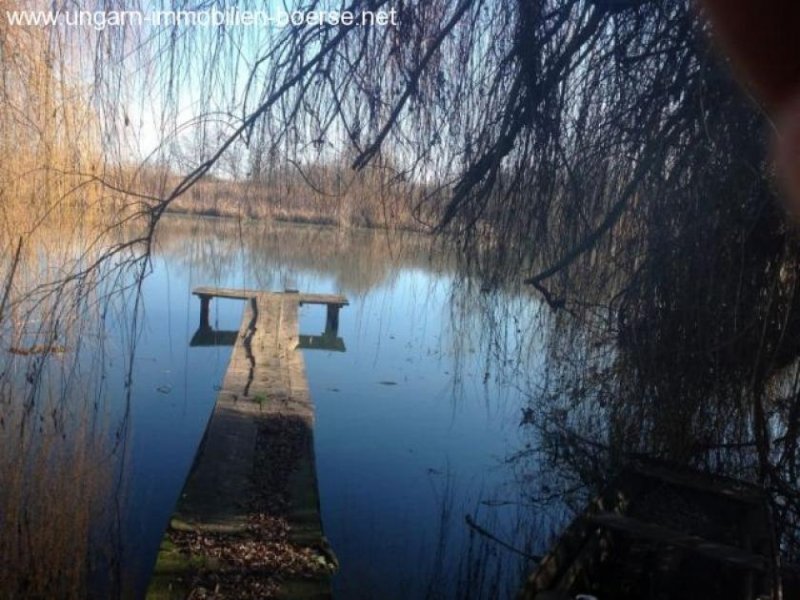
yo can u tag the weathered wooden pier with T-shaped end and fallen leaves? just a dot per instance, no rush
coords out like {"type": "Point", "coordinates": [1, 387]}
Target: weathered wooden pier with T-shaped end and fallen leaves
{"type": "Point", "coordinates": [256, 461]}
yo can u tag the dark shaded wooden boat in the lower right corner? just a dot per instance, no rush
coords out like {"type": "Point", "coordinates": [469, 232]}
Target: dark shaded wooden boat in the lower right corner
{"type": "Point", "coordinates": [662, 532]}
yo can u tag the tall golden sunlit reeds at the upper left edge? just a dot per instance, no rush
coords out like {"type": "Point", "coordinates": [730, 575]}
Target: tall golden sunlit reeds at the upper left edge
{"type": "Point", "coordinates": [53, 176]}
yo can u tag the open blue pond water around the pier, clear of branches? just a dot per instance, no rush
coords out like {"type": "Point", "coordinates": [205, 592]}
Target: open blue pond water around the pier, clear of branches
{"type": "Point", "coordinates": [414, 421]}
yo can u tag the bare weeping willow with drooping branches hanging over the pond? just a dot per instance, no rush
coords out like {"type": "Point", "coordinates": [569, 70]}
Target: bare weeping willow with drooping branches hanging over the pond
{"type": "Point", "coordinates": [598, 151]}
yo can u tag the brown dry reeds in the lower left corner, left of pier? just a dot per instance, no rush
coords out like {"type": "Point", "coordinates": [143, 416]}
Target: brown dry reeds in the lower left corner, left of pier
{"type": "Point", "coordinates": [56, 478]}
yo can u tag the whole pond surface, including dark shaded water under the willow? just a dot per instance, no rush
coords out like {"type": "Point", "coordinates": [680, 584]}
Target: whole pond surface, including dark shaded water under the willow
{"type": "Point", "coordinates": [458, 430]}
